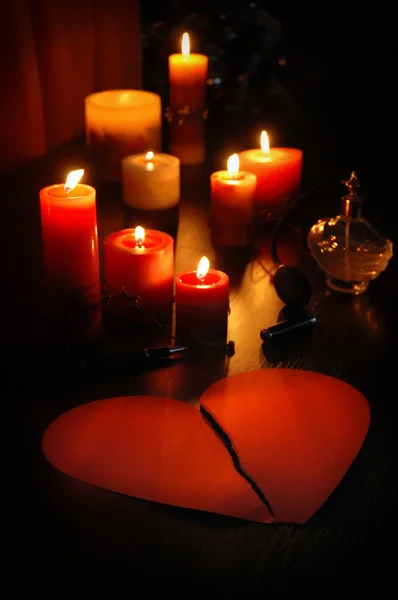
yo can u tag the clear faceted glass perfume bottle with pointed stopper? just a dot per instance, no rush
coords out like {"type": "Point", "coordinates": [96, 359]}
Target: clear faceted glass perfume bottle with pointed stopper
{"type": "Point", "coordinates": [347, 248]}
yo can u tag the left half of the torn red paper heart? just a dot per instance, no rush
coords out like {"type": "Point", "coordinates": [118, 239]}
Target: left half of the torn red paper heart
{"type": "Point", "coordinates": [153, 448]}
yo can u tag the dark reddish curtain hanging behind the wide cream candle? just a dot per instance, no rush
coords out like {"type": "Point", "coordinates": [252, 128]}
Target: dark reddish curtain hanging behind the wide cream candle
{"type": "Point", "coordinates": [53, 53]}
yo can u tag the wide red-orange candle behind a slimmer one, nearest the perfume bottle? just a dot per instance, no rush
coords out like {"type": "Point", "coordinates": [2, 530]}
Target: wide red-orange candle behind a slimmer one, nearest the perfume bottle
{"type": "Point", "coordinates": [278, 172]}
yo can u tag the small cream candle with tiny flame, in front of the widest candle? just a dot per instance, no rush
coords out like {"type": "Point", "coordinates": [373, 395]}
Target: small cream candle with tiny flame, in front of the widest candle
{"type": "Point", "coordinates": [151, 181]}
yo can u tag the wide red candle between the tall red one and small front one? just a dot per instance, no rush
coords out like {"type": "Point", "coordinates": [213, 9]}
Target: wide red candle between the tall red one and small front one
{"type": "Point", "coordinates": [141, 262]}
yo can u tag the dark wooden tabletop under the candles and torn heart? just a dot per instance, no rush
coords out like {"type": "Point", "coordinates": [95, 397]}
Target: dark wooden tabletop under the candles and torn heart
{"type": "Point", "coordinates": [71, 540]}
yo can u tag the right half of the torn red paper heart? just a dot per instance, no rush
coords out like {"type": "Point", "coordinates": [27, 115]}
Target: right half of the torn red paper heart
{"type": "Point", "coordinates": [292, 434]}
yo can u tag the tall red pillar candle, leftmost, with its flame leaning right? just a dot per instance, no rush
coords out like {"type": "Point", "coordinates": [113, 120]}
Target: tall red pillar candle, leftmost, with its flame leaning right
{"type": "Point", "coordinates": [70, 242]}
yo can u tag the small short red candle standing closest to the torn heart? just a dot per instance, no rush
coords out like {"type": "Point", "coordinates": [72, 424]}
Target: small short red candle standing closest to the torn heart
{"type": "Point", "coordinates": [202, 303]}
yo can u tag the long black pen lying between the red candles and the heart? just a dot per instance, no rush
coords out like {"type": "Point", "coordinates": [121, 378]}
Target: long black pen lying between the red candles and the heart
{"type": "Point", "coordinates": [141, 356]}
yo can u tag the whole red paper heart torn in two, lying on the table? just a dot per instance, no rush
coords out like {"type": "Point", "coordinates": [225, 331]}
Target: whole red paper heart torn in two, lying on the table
{"type": "Point", "coordinates": [266, 446]}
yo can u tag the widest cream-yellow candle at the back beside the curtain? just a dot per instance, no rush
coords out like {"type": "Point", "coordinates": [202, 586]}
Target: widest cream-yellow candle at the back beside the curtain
{"type": "Point", "coordinates": [120, 123]}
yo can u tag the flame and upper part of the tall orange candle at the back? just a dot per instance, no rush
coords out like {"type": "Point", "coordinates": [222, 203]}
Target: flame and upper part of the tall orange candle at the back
{"type": "Point", "coordinates": [187, 77]}
